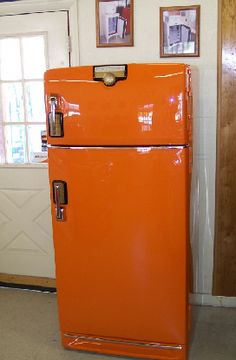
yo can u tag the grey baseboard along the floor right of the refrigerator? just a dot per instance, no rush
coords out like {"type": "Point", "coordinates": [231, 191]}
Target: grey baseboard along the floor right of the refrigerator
{"type": "Point", "coordinates": [210, 300]}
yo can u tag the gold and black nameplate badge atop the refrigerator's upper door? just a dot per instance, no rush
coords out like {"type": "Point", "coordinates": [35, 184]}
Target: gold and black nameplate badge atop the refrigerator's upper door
{"type": "Point", "coordinates": [110, 74]}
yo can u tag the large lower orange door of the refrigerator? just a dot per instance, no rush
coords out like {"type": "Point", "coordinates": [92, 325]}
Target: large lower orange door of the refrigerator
{"type": "Point", "coordinates": [121, 249]}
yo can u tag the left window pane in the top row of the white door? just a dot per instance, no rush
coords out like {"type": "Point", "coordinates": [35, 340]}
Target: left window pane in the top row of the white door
{"type": "Point", "coordinates": [10, 59]}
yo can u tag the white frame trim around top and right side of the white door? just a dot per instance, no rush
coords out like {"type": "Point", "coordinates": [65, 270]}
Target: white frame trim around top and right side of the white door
{"type": "Point", "coordinates": [32, 6]}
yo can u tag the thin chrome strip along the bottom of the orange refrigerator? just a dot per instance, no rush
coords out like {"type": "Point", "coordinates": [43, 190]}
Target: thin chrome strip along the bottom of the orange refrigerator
{"type": "Point", "coordinates": [121, 342]}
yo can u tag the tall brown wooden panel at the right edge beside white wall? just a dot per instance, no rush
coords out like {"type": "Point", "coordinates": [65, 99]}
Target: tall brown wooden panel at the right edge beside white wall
{"type": "Point", "coordinates": [224, 247]}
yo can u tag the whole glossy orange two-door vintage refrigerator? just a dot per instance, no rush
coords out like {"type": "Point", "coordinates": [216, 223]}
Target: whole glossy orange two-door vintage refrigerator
{"type": "Point", "coordinates": [119, 166]}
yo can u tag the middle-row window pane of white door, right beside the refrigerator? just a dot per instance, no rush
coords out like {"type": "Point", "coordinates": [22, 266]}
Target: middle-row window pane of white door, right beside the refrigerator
{"type": "Point", "coordinates": [35, 109]}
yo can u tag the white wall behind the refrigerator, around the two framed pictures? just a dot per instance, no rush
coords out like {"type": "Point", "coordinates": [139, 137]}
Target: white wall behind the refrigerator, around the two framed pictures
{"type": "Point", "coordinates": [204, 70]}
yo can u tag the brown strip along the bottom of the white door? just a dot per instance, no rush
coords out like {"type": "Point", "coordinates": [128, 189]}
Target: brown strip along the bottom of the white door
{"type": "Point", "coordinates": [34, 281]}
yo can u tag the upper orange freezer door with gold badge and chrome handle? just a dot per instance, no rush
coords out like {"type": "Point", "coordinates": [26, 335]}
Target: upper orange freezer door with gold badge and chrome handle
{"type": "Point", "coordinates": [135, 104]}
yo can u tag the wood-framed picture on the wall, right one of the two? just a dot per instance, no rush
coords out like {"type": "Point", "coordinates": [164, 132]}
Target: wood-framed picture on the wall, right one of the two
{"type": "Point", "coordinates": [179, 31]}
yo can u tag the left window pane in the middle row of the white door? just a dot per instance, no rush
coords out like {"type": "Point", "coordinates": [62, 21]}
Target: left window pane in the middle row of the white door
{"type": "Point", "coordinates": [12, 102]}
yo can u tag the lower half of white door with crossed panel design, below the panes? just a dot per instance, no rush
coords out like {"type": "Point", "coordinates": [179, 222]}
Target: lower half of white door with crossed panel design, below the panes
{"type": "Point", "coordinates": [26, 246]}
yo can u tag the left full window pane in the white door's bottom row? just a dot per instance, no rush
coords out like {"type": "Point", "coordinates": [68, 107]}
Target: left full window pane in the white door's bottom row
{"type": "Point", "coordinates": [15, 144]}
